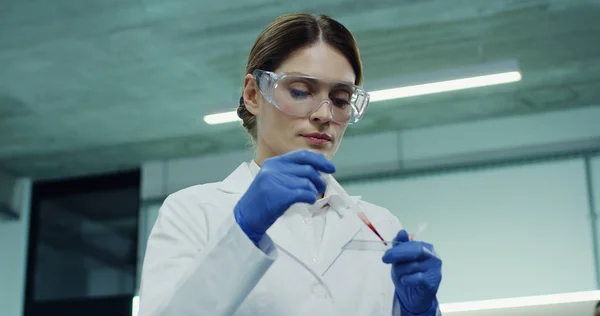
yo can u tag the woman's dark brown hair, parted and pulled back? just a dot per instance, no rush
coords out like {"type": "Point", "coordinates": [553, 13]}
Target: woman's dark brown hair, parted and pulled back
{"type": "Point", "coordinates": [292, 32]}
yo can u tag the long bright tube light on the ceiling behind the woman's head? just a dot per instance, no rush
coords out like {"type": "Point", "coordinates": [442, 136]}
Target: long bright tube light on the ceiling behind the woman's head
{"type": "Point", "coordinates": [480, 75]}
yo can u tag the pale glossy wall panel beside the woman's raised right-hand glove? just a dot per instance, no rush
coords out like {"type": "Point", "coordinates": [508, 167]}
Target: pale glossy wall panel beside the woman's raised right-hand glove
{"type": "Point", "coordinates": [503, 232]}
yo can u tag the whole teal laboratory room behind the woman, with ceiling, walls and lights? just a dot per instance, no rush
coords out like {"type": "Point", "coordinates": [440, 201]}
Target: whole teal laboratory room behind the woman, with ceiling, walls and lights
{"type": "Point", "coordinates": [483, 134]}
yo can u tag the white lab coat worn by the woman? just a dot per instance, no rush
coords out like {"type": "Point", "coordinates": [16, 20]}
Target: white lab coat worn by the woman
{"type": "Point", "coordinates": [199, 262]}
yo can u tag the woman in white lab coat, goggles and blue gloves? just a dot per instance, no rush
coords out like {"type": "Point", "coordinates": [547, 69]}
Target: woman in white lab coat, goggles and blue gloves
{"type": "Point", "coordinates": [268, 240]}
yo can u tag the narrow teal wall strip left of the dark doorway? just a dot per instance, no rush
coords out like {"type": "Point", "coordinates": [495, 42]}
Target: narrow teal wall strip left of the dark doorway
{"type": "Point", "coordinates": [13, 245]}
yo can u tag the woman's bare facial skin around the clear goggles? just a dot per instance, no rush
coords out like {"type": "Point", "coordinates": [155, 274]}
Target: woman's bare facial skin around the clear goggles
{"type": "Point", "coordinates": [278, 132]}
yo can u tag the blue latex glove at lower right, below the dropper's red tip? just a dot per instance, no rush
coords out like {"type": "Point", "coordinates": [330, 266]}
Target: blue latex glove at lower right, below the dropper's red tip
{"type": "Point", "coordinates": [416, 273]}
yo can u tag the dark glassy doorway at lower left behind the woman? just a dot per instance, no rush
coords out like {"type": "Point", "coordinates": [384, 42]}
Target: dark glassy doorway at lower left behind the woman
{"type": "Point", "coordinates": [83, 241]}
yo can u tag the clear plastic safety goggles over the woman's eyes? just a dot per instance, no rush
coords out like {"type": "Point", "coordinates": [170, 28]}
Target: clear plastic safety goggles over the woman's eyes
{"type": "Point", "coordinates": [301, 95]}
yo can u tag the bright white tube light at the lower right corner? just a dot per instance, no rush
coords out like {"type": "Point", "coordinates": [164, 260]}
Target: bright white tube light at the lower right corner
{"type": "Point", "coordinates": [521, 302]}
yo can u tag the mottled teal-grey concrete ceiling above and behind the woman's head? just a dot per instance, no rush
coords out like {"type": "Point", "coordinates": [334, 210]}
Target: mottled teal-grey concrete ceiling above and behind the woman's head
{"type": "Point", "coordinates": [102, 85]}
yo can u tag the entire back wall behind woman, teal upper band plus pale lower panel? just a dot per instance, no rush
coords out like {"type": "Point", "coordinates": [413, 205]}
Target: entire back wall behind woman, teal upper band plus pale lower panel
{"type": "Point", "coordinates": [532, 217]}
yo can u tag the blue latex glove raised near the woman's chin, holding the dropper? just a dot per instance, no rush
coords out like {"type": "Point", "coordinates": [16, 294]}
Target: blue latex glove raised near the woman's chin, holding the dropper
{"type": "Point", "coordinates": [282, 181]}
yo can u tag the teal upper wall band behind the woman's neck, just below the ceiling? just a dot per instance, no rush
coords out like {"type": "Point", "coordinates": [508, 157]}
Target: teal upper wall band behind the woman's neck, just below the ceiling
{"type": "Point", "coordinates": [450, 145]}
